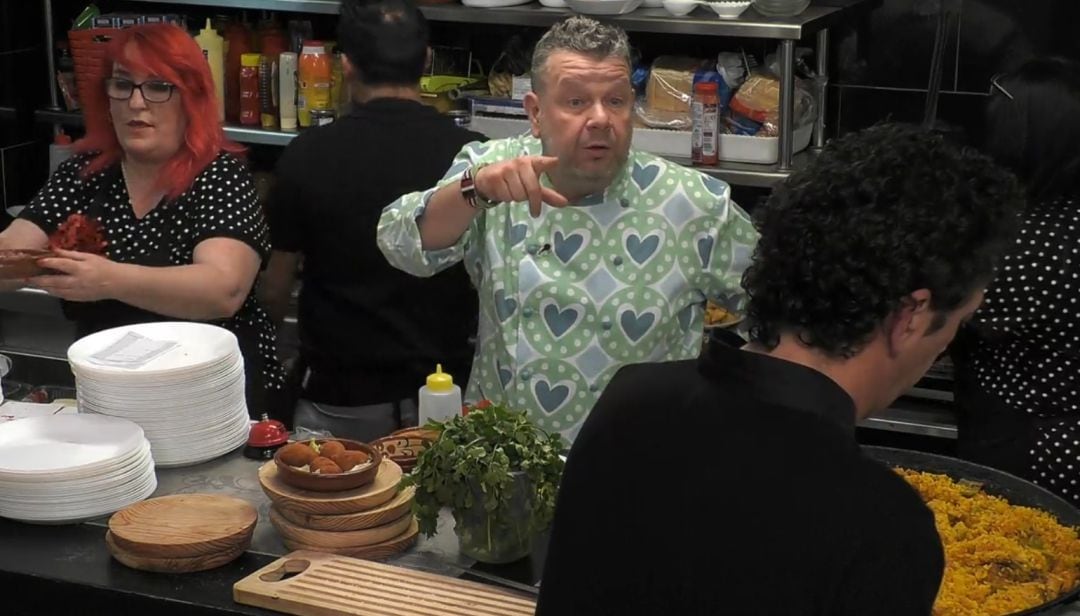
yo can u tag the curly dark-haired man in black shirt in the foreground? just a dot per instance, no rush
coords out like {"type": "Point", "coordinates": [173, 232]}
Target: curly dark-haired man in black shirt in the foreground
{"type": "Point", "coordinates": [734, 485]}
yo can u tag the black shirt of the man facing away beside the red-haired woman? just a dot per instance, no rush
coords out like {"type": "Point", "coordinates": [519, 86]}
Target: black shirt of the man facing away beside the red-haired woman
{"type": "Point", "coordinates": [374, 330]}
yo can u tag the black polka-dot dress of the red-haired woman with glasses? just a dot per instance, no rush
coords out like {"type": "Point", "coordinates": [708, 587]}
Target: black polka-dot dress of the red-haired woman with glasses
{"type": "Point", "coordinates": [221, 204]}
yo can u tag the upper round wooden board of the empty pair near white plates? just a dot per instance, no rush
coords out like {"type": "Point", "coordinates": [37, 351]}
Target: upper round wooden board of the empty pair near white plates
{"type": "Point", "coordinates": [184, 526]}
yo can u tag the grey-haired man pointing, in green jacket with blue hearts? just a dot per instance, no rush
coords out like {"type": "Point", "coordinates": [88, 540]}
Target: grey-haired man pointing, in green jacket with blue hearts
{"type": "Point", "coordinates": [588, 256]}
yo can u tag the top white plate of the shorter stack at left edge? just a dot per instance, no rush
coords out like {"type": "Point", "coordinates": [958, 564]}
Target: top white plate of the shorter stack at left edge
{"type": "Point", "coordinates": [63, 444]}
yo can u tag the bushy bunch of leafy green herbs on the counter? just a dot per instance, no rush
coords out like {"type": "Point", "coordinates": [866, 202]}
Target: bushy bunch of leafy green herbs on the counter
{"type": "Point", "coordinates": [475, 458]}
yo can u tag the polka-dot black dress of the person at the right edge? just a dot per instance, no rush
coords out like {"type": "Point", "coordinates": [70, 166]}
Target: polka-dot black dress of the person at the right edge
{"type": "Point", "coordinates": [1025, 358]}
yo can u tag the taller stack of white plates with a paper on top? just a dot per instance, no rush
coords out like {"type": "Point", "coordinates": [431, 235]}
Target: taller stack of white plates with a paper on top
{"type": "Point", "coordinates": [190, 400]}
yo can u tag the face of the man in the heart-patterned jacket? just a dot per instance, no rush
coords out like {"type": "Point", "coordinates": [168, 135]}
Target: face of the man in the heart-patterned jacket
{"type": "Point", "coordinates": [584, 115]}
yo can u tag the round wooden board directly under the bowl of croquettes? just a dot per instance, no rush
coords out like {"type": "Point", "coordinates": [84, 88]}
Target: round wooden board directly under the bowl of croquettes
{"type": "Point", "coordinates": [332, 503]}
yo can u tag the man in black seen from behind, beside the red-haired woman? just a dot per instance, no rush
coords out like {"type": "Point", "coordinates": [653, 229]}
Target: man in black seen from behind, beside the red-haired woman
{"type": "Point", "coordinates": [370, 334]}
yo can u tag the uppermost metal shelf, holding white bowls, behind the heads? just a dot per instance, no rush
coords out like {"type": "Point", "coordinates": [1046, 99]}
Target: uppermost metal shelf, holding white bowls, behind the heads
{"type": "Point", "coordinates": [750, 24]}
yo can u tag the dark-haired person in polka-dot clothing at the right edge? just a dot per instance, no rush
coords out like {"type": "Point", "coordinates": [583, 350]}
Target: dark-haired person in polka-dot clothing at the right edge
{"type": "Point", "coordinates": [1019, 364]}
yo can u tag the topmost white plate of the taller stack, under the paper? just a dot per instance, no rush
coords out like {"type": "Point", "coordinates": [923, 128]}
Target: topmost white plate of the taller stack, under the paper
{"type": "Point", "coordinates": [200, 345]}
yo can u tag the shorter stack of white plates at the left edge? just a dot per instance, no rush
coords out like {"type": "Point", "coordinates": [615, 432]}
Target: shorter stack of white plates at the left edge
{"type": "Point", "coordinates": [69, 468]}
